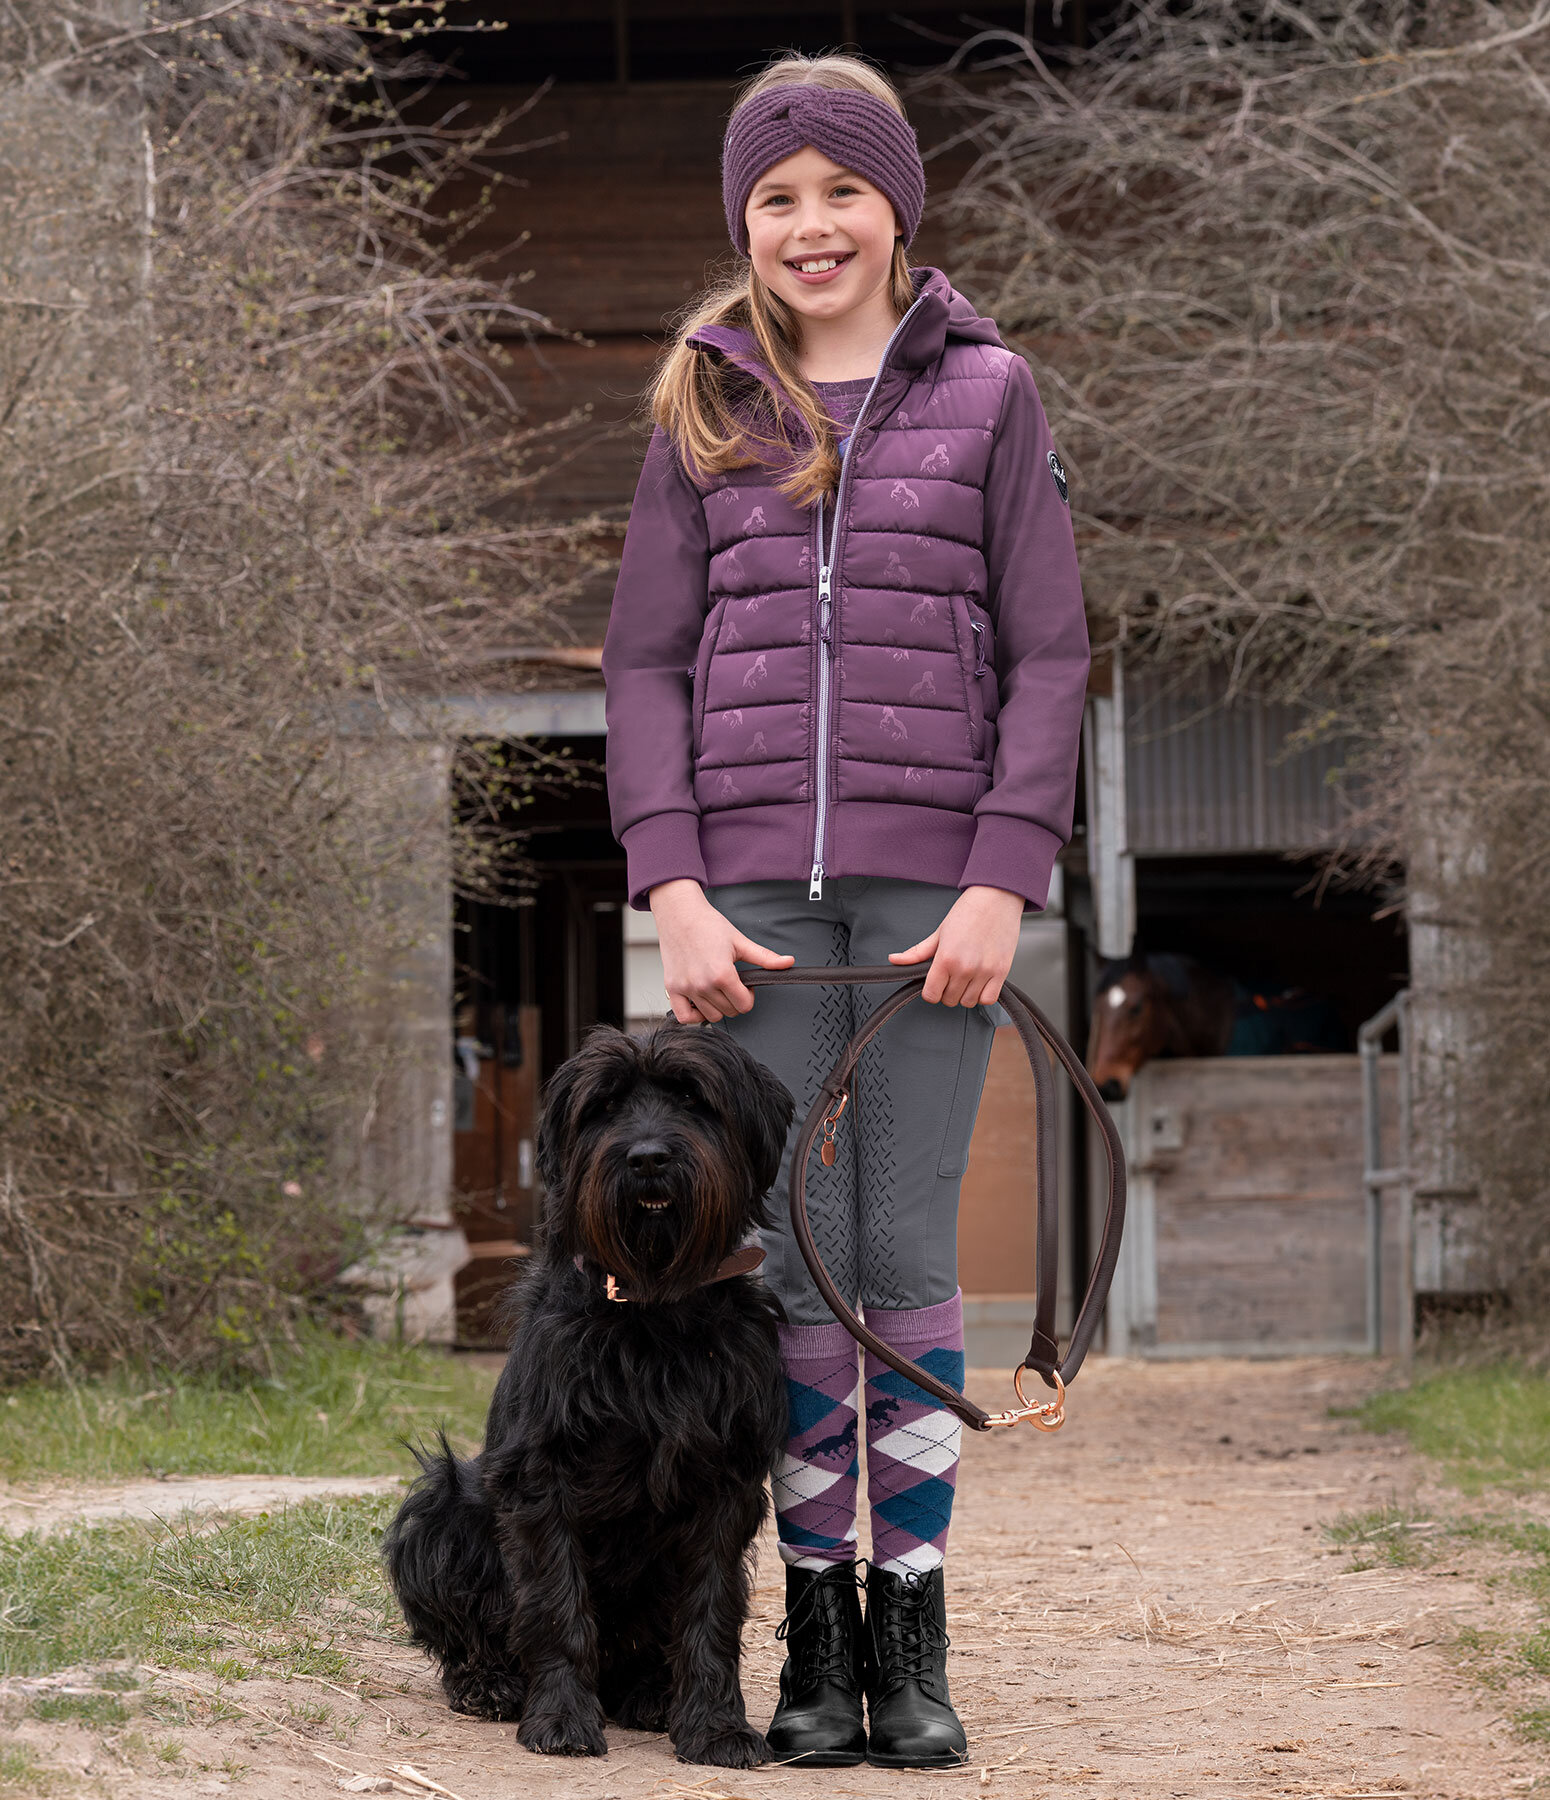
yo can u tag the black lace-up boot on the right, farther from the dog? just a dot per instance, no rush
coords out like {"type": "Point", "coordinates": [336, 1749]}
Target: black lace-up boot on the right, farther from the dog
{"type": "Point", "coordinates": [912, 1723]}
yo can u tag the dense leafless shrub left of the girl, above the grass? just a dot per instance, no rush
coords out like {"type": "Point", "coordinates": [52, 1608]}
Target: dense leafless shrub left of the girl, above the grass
{"type": "Point", "coordinates": [262, 487]}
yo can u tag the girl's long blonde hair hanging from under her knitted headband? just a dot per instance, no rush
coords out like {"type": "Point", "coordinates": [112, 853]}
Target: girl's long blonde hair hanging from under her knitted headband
{"type": "Point", "coordinates": [716, 413]}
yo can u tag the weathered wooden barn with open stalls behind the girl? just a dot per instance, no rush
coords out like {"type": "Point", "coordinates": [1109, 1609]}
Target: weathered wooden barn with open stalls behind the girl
{"type": "Point", "coordinates": [1200, 822]}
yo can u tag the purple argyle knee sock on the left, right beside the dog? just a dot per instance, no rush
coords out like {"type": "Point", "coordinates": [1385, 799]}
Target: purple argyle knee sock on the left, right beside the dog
{"type": "Point", "coordinates": [815, 1486]}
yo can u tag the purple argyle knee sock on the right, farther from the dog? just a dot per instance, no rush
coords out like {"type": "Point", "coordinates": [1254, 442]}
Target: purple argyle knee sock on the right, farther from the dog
{"type": "Point", "coordinates": [912, 1441]}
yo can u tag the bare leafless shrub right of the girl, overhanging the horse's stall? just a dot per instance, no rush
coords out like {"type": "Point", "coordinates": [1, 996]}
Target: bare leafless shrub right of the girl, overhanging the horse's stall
{"type": "Point", "coordinates": [1284, 276]}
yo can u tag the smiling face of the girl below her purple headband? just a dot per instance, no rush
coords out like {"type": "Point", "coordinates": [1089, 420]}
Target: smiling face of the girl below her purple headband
{"type": "Point", "coordinates": [820, 237]}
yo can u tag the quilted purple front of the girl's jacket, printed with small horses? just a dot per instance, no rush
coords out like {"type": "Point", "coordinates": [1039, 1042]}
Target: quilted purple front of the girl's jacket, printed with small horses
{"type": "Point", "coordinates": [915, 701]}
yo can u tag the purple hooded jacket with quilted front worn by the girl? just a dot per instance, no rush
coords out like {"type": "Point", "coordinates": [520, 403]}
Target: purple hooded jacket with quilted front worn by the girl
{"type": "Point", "coordinates": [888, 683]}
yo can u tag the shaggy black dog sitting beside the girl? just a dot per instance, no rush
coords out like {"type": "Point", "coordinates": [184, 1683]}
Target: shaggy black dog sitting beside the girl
{"type": "Point", "coordinates": [595, 1560]}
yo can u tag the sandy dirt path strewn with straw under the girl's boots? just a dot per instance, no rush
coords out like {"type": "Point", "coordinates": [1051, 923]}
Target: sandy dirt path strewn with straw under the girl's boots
{"type": "Point", "coordinates": [1142, 1606]}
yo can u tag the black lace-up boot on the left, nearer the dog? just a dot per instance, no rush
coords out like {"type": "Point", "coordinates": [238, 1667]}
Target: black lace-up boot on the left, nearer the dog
{"type": "Point", "coordinates": [818, 1722]}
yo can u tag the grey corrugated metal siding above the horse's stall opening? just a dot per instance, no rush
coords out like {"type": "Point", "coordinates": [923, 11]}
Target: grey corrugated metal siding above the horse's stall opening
{"type": "Point", "coordinates": [1203, 775]}
